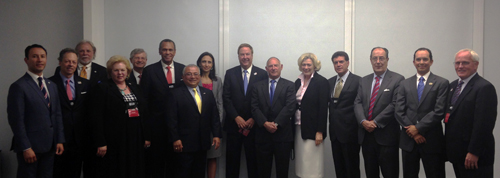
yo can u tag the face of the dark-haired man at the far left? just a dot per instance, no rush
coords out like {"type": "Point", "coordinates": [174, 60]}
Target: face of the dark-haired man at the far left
{"type": "Point", "coordinates": [36, 61]}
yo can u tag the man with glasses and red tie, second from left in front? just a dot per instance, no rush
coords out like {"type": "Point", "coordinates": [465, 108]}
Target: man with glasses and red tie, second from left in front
{"type": "Point", "coordinates": [73, 98]}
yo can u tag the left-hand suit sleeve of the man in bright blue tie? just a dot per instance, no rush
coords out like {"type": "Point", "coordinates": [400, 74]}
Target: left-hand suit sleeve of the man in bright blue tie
{"type": "Point", "coordinates": [400, 108]}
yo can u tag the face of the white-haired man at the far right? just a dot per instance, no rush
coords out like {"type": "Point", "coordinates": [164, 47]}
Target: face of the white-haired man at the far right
{"type": "Point", "coordinates": [464, 65]}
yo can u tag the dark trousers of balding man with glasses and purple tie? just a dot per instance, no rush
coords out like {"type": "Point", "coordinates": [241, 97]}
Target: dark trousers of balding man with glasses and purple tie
{"type": "Point", "coordinates": [379, 157]}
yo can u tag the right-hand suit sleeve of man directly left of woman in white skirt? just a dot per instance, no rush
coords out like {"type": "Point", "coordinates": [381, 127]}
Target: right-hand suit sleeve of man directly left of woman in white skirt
{"type": "Point", "coordinates": [288, 110]}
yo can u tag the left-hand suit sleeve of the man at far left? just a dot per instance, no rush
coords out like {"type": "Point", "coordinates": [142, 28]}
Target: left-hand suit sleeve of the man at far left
{"type": "Point", "coordinates": [15, 111]}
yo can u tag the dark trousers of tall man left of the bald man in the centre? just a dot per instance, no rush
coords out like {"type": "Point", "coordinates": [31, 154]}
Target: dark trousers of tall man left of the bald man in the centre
{"type": "Point", "coordinates": [233, 152]}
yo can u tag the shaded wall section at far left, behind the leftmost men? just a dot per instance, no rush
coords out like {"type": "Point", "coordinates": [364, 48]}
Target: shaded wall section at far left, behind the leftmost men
{"type": "Point", "coordinates": [55, 25]}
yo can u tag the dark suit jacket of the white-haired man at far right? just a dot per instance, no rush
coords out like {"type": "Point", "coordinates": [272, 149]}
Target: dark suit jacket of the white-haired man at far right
{"type": "Point", "coordinates": [471, 122]}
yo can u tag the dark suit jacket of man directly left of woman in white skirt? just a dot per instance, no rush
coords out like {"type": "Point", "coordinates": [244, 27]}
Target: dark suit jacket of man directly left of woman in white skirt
{"type": "Point", "coordinates": [280, 112]}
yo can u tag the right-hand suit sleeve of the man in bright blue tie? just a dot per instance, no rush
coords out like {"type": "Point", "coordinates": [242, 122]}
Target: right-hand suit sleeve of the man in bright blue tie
{"type": "Point", "coordinates": [434, 117]}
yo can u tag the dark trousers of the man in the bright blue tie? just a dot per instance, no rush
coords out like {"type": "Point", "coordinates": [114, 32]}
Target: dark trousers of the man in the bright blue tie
{"type": "Point", "coordinates": [433, 163]}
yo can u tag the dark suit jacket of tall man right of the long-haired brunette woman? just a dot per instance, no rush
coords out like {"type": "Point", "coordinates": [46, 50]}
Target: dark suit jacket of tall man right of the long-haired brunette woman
{"type": "Point", "coordinates": [236, 103]}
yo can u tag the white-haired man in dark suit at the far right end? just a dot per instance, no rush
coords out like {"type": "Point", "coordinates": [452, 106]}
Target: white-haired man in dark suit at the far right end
{"type": "Point", "coordinates": [470, 119]}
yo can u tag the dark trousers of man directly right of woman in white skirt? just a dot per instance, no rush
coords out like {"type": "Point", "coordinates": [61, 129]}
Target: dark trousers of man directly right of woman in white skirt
{"type": "Point", "coordinates": [346, 159]}
